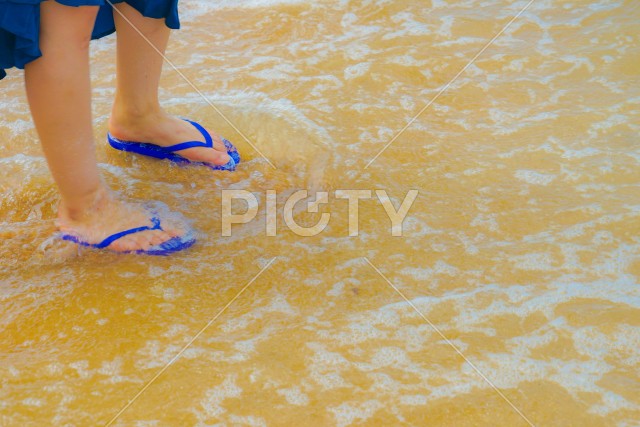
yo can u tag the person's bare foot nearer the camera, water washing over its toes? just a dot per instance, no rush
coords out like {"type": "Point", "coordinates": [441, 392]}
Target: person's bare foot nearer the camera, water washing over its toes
{"type": "Point", "coordinates": [107, 215]}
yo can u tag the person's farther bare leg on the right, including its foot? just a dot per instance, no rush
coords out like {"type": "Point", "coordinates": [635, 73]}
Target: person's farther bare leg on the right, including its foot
{"type": "Point", "coordinates": [136, 114]}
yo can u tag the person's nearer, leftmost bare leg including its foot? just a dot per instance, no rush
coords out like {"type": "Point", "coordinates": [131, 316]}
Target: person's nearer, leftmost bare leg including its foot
{"type": "Point", "coordinates": [59, 93]}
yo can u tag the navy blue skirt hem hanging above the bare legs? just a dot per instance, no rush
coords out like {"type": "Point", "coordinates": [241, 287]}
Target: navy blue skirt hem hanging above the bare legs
{"type": "Point", "coordinates": [20, 25]}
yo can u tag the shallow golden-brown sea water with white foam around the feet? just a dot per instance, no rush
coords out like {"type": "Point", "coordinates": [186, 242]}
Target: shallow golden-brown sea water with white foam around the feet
{"type": "Point", "coordinates": [522, 248]}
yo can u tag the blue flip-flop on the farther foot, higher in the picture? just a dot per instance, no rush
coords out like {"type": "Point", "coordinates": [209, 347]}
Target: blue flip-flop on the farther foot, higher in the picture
{"type": "Point", "coordinates": [158, 152]}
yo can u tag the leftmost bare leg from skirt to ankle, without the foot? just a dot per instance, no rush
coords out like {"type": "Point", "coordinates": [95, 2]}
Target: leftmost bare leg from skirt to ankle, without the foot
{"type": "Point", "coordinates": [59, 93]}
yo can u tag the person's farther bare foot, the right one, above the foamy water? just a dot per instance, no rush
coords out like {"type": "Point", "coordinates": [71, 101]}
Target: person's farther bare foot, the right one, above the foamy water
{"type": "Point", "coordinates": [163, 129]}
